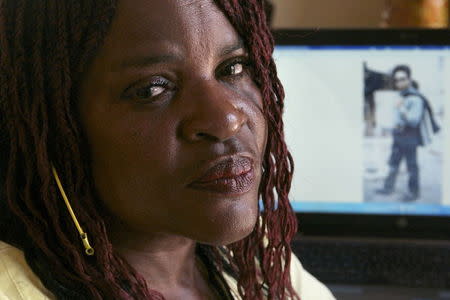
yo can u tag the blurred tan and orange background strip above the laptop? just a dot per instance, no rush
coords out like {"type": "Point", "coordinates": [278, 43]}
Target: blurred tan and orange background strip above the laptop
{"type": "Point", "coordinates": [360, 13]}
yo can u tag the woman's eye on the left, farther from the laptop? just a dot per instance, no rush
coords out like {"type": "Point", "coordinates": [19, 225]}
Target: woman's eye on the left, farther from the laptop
{"type": "Point", "coordinates": [148, 90]}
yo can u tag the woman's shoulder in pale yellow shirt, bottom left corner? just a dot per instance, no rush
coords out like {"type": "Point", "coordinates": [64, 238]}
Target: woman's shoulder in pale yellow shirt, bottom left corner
{"type": "Point", "coordinates": [17, 280]}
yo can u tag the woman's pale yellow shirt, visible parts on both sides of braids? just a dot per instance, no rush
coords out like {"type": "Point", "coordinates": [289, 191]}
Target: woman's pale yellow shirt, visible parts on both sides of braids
{"type": "Point", "coordinates": [17, 281]}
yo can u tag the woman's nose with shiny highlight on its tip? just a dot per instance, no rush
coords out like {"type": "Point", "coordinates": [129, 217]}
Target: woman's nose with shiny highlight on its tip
{"type": "Point", "coordinates": [214, 114]}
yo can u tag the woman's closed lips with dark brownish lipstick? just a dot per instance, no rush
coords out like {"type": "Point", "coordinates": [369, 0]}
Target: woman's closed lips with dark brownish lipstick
{"type": "Point", "coordinates": [230, 175]}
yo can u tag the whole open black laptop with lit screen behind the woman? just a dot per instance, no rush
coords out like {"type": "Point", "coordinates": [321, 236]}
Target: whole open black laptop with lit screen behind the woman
{"type": "Point", "coordinates": [367, 120]}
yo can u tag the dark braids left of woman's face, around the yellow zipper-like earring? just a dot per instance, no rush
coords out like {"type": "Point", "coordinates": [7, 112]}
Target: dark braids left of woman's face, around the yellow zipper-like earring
{"type": "Point", "coordinates": [37, 105]}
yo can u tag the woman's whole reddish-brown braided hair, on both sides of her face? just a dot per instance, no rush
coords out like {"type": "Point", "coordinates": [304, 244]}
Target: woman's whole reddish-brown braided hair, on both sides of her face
{"type": "Point", "coordinates": [45, 48]}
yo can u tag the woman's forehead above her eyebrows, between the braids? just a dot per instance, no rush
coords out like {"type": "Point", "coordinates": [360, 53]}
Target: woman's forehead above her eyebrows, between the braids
{"type": "Point", "coordinates": [141, 25]}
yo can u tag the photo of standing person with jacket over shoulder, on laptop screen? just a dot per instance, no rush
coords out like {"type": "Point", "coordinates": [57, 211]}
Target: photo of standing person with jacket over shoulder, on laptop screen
{"type": "Point", "coordinates": [403, 140]}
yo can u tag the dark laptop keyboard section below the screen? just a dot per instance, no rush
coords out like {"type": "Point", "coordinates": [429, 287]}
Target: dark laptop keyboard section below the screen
{"type": "Point", "coordinates": [409, 263]}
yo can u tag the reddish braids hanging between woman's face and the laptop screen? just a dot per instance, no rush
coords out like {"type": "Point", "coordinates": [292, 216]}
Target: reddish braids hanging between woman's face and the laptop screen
{"type": "Point", "coordinates": [279, 223]}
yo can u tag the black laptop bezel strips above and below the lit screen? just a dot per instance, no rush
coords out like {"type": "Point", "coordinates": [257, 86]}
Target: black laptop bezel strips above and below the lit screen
{"type": "Point", "coordinates": [368, 225]}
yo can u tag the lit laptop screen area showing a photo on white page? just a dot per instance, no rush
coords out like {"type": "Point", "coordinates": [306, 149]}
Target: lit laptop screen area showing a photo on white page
{"type": "Point", "coordinates": [368, 128]}
